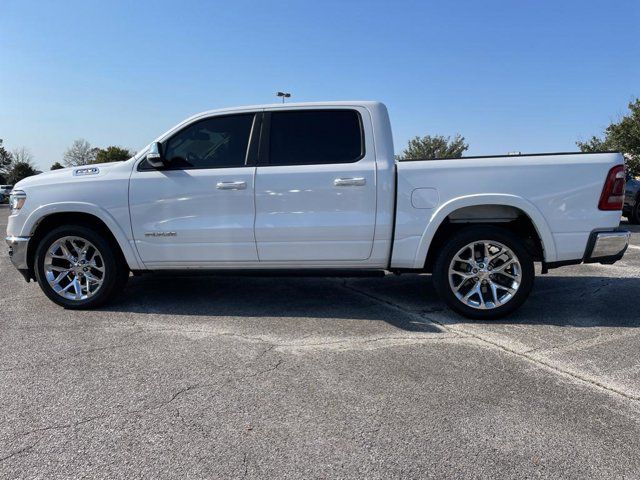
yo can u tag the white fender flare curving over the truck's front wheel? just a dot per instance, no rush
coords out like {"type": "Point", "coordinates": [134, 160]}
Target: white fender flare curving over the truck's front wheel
{"type": "Point", "coordinates": [121, 237]}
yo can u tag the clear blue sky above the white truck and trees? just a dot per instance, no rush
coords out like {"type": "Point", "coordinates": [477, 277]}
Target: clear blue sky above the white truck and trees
{"type": "Point", "coordinates": [529, 76]}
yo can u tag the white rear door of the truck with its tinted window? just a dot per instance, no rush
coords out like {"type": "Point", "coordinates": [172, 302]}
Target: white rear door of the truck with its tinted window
{"type": "Point", "coordinates": [316, 186]}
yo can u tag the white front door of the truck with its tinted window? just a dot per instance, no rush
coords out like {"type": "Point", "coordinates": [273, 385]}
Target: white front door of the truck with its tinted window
{"type": "Point", "coordinates": [200, 209]}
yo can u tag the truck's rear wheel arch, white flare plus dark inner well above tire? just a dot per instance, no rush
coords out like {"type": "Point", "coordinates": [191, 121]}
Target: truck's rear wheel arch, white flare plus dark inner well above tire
{"type": "Point", "coordinates": [528, 219]}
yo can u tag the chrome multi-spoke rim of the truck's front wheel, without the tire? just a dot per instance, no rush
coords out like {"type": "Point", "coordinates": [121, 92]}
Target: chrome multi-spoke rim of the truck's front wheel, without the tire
{"type": "Point", "coordinates": [74, 268]}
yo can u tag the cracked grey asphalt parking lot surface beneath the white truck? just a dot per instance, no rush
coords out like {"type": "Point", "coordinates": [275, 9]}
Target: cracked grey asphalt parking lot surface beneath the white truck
{"type": "Point", "coordinates": [234, 377]}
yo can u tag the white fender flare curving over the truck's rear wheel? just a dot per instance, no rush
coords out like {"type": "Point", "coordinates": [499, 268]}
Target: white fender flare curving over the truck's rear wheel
{"type": "Point", "coordinates": [444, 210]}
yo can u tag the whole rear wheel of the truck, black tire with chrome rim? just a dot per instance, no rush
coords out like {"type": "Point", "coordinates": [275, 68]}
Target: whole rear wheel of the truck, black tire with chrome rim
{"type": "Point", "coordinates": [512, 281]}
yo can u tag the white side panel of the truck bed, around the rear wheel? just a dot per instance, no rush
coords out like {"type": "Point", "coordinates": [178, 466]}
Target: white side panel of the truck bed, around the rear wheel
{"type": "Point", "coordinates": [559, 193]}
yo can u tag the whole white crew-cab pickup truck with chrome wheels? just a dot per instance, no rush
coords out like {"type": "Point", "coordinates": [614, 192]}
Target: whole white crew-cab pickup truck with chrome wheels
{"type": "Point", "coordinates": [315, 188]}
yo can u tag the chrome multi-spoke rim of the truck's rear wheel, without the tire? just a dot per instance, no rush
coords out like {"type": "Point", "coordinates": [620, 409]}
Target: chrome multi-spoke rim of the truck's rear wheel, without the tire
{"type": "Point", "coordinates": [485, 274]}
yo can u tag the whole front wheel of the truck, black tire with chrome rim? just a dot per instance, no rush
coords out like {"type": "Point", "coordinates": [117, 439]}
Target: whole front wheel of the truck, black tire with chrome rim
{"type": "Point", "coordinates": [101, 273]}
